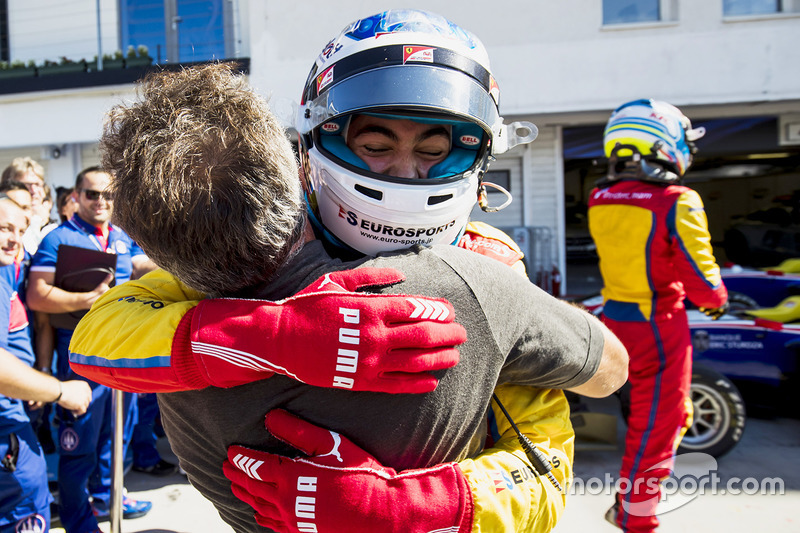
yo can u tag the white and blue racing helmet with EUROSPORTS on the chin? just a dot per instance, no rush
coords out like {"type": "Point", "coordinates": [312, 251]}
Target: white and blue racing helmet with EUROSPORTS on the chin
{"type": "Point", "coordinates": [400, 64]}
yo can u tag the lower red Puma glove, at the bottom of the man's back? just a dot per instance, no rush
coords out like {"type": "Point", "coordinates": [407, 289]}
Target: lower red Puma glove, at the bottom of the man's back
{"type": "Point", "coordinates": [340, 487]}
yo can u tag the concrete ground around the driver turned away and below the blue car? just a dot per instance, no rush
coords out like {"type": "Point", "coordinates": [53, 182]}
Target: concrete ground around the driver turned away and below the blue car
{"type": "Point", "coordinates": [767, 456]}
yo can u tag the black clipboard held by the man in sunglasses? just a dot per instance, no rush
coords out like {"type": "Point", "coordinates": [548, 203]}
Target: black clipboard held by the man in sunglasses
{"type": "Point", "coordinates": [80, 270]}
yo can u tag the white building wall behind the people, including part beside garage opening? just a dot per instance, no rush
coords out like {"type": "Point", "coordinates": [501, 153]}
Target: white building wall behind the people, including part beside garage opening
{"type": "Point", "coordinates": [557, 66]}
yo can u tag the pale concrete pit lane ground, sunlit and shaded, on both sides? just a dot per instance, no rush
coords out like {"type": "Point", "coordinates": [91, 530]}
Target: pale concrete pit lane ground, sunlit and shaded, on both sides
{"type": "Point", "coordinates": [768, 449]}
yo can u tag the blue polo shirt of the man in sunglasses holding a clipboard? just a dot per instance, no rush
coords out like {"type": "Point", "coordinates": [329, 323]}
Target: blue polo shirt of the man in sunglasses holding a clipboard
{"type": "Point", "coordinates": [77, 232]}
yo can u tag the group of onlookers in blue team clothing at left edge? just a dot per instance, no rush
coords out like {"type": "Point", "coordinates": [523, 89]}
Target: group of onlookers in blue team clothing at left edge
{"type": "Point", "coordinates": [68, 419]}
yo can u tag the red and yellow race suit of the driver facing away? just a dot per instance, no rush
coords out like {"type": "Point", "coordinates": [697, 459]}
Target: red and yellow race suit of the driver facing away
{"type": "Point", "coordinates": [655, 250]}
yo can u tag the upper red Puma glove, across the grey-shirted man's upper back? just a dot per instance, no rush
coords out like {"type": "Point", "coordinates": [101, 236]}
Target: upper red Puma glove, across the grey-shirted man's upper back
{"type": "Point", "coordinates": [328, 335]}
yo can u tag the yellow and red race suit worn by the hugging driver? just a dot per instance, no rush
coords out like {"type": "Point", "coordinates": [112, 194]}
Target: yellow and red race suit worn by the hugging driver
{"type": "Point", "coordinates": [149, 351]}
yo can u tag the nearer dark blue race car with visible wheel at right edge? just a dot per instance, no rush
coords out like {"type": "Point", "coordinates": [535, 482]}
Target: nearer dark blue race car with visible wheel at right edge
{"type": "Point", "coordinates": [751, 358]}
